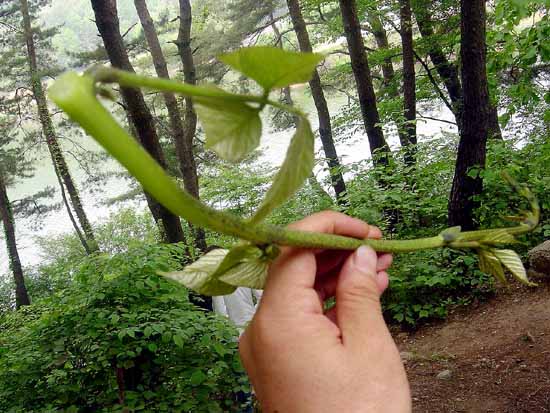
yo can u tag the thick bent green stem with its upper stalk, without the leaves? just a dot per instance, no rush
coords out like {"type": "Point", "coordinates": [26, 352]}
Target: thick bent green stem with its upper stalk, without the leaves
{"type": "Point", "coordinates": [76, 95]}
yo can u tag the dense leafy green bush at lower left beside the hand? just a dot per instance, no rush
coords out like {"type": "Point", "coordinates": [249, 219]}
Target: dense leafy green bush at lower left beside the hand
{"type": "Point", "coordinates": [119, 324]}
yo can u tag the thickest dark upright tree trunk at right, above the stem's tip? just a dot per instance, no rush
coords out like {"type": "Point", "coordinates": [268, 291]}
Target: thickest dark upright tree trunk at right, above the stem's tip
{"type": "Point", "coordinates": [473, 137]}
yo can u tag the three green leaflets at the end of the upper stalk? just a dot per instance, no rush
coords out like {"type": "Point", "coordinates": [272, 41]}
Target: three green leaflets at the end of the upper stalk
{"type": "Point", "coordinates": [233, 128]}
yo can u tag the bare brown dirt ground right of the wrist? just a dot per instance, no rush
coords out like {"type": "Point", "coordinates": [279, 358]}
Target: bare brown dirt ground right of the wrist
{"type": "Point", "coordinates": [494, 356]}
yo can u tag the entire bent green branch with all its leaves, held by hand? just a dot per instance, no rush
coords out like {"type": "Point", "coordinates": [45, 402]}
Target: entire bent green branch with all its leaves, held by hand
{"type": "Point", "coordinates": [233, 129]}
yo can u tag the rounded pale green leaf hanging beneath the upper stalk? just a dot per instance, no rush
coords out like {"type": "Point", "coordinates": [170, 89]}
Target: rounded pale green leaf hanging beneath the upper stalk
{"type": "Point", "coordinates": [233, 129]}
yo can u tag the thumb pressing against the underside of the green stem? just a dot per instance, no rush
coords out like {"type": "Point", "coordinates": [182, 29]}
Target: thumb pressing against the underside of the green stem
{"type": "Point", "coordinates": [358, 311]}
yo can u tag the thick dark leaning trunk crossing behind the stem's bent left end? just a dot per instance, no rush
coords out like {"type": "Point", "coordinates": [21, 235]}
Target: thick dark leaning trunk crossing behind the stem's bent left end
{"type": "Point", "coordinates": [106, 18]}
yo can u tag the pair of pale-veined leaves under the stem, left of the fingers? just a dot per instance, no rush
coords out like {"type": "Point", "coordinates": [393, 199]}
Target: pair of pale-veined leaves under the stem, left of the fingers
{"type": "Point", "coordinates": [221, 271]}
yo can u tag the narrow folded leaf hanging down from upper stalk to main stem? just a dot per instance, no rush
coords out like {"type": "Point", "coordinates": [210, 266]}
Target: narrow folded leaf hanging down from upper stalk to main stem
{"type": "Point", "coordinates": [294, 171]}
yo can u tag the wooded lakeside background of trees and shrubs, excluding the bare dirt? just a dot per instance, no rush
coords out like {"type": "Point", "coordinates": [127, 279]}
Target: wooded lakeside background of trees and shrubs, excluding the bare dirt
{"type": "Point", "coordinates": [414, 124]}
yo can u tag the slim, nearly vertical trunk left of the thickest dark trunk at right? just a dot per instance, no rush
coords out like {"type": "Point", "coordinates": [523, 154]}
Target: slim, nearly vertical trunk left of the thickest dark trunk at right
{"type": "Point", "coordinates": [409, 80]}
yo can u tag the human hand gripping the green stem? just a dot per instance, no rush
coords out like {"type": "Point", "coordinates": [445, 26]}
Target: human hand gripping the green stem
{"type": "Point", "coordinates": [302, 359]}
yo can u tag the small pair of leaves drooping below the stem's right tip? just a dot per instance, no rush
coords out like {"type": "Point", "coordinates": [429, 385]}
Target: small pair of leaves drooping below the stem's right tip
{"type": "Point", "coordinates": [491, 261]}
